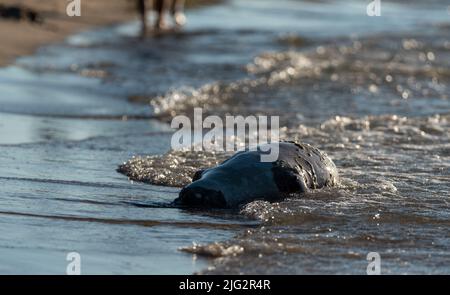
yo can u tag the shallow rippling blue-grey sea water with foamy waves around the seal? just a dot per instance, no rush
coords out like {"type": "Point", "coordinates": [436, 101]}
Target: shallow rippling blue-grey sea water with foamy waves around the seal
{"type": "Point", "coordinates": [370, 92]}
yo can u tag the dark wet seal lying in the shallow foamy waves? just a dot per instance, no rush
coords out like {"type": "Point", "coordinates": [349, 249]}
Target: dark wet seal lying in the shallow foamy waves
{"type": "Point", "coordinates": [244, 178]}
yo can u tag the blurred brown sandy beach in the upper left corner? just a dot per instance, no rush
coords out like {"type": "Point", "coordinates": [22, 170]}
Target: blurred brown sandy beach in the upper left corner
{"type": "Point", "coordinates": [20, 38]}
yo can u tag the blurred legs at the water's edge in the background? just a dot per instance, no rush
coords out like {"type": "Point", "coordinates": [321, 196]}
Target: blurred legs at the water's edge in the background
{"type": "Point", "coordinates": [175, 7]}
